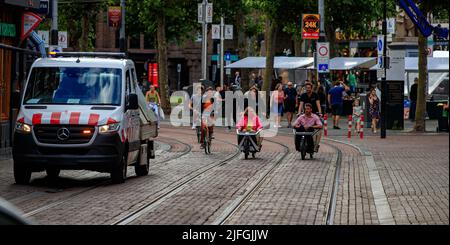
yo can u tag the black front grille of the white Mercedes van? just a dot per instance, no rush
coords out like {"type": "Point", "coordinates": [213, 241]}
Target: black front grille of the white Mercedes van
{"type": "Point", "coordinates": [48, 134]}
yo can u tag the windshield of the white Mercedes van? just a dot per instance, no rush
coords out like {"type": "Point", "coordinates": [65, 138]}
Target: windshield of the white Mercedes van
{"type": "Point", "coordinates": [74, 85]}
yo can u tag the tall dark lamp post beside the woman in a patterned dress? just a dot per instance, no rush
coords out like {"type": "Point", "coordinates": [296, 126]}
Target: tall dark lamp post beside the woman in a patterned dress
{"type": "Point", "coordinates": [383, 79]}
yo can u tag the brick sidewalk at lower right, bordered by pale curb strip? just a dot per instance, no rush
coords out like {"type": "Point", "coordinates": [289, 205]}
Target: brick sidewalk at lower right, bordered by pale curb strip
{"type": "Point", "coordinates": [414, 173]}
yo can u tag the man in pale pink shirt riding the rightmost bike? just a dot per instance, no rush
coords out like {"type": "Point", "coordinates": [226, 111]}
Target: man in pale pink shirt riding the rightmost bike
{"type": "Point", "coordinates": [308, 122]}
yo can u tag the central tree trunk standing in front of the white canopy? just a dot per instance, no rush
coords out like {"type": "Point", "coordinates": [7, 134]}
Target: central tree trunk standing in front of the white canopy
{"type": "Point", "coordinates": [270, 41]}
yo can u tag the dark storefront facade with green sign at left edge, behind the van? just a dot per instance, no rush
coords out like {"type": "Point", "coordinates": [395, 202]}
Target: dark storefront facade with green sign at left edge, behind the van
{"type": "Point", "coordinates": [15, 58]}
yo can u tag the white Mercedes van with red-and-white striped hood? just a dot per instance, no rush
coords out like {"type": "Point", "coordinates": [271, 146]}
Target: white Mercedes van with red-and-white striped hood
{"type": "Point", "coordinates": [83, 111]}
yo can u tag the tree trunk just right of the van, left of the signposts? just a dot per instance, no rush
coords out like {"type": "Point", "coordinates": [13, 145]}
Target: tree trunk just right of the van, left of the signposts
{"type": "Point", "coordinates": [162, 61]}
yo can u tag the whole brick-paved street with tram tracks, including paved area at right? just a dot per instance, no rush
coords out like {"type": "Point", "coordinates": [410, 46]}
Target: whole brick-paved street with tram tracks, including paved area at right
{"type": "Point", "coordinates": [185, 186]}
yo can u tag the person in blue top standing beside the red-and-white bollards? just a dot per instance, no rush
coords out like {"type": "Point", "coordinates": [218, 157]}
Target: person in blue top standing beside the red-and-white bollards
{"type": "Point", "coordinates": [335, 99]}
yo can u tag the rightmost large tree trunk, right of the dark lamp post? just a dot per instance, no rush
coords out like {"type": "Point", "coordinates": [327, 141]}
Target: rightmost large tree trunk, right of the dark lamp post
{"type": "Point", "coordinates": [422, 85]}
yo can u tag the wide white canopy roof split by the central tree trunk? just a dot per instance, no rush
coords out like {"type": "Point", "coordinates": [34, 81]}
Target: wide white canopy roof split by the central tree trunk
{"type": "Point", "coordinates": [280, 62]}
